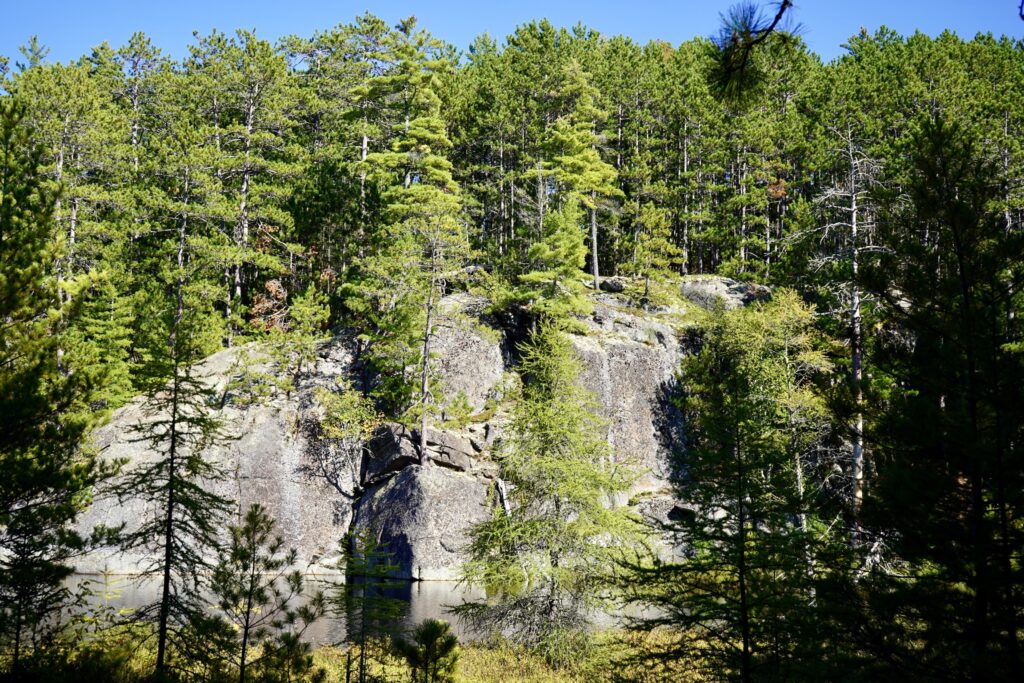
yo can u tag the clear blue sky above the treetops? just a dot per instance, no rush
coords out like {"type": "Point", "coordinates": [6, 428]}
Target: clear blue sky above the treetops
{"type": "Point", "coordinates": [70, 29]}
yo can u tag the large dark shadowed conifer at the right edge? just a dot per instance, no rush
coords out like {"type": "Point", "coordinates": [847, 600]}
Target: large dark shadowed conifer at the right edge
{"type": "Point", "coordinates": [948, 283]}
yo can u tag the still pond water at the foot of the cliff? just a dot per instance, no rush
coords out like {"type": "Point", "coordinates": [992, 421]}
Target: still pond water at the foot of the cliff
{"type": "Point", "coordinates": [426, 600]}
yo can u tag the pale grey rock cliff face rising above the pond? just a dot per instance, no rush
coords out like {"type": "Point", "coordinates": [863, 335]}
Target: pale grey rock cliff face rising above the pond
{"type": "Point", "coordinates": [421, 507]}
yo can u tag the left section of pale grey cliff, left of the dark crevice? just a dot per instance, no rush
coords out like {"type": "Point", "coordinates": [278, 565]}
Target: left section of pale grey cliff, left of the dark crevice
{"type": "Point", "coordinates": [273, 455]}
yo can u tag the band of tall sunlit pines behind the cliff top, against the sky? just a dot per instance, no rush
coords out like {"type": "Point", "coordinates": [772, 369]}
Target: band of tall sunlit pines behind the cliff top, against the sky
{"type": "Point", "coordinates": [270, 149]}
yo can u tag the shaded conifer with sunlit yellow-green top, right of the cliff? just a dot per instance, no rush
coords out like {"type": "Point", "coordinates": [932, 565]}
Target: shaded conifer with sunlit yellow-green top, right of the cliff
{"type": "Point", "coordinates": [743, 602]}
